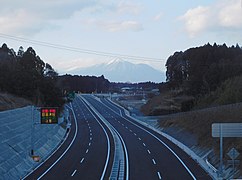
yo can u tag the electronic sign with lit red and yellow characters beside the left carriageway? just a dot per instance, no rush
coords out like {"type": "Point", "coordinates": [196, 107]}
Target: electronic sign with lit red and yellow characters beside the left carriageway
{"type": "Point", "coordinates": [48, 116]}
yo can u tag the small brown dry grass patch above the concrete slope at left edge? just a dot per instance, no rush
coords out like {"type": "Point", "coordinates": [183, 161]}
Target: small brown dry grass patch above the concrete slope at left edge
{"type": "Point", "coordinates": [8, 101]}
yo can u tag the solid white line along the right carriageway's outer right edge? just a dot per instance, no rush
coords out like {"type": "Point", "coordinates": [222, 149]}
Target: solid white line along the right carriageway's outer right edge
{"type": "Point", "coordinates": [179, 159]}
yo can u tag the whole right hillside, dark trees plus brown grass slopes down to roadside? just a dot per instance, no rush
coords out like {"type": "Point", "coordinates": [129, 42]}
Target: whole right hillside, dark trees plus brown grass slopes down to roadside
{"type": "Point", "coordinates": [204, 86]}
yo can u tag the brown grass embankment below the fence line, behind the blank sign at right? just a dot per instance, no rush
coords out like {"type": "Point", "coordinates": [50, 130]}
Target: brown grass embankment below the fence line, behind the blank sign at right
{"type": "Point", "coordinates": [200, 122]}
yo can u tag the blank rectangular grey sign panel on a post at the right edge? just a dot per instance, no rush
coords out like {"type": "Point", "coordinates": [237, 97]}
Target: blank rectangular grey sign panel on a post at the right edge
{"type": "Point", "coordinates": [227, 129]}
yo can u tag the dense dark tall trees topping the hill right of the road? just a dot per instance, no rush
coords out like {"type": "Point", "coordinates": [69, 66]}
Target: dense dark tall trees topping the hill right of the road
{"type": "Point", "coordinates": [198, 71]}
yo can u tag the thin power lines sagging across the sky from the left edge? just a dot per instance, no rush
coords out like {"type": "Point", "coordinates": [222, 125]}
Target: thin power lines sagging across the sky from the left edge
{"type": "Point", "coordinates": [79, 50]}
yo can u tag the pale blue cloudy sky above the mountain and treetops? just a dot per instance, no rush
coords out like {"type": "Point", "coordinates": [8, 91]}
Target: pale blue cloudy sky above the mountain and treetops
{"type": "Point", "coordinates": [152, 30]}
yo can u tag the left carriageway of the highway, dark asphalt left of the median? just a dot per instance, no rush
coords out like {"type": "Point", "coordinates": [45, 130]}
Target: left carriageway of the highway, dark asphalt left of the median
{"type": "Point", "coordinates": [87, 153]}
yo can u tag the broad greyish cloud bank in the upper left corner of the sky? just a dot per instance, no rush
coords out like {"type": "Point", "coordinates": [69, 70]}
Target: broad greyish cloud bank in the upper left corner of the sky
{"type": "Point", "coordinates": [29, 17]}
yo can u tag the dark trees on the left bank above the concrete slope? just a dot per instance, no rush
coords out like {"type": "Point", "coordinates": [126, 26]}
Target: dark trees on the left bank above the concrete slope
{"type": "Point", "coordinates": [24, 74]}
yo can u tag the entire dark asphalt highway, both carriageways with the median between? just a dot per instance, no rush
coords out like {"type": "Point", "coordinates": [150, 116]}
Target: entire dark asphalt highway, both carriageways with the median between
{"type": "Point", "coordinates": [105, 143]}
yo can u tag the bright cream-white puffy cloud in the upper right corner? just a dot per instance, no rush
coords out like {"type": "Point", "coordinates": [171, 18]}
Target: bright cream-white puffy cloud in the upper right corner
{"type": "Point", "coordinates": [224, 15]}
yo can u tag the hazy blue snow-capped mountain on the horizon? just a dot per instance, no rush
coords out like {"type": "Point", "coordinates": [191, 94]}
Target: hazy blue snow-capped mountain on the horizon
{"type": "Point", "coordinates": [123, 71]}
